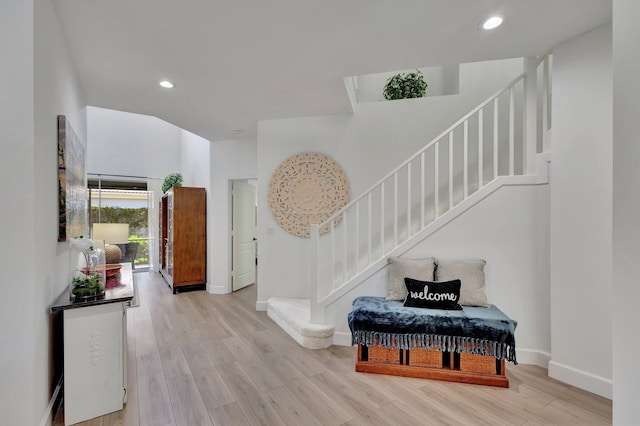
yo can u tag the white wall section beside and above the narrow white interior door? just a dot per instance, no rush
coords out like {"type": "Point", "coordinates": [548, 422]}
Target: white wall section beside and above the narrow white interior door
{"type": "Point", "coordinates": [230, 159]}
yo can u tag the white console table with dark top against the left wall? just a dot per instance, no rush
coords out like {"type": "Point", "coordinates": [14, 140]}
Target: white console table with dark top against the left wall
{"type": "Point", "coordinates": [95, 350]}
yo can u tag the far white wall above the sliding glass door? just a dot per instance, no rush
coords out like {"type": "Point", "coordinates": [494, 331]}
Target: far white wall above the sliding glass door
{"type": "Point", "coordinates": [123, 143]}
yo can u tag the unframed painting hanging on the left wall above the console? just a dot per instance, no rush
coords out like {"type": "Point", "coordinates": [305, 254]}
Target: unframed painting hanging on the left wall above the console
{"type": "Point", "coordinates": [72, 183]}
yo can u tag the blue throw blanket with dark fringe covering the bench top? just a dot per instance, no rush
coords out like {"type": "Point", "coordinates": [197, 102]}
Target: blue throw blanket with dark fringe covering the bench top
{"type": "Point", "coordinates": [476, 330]}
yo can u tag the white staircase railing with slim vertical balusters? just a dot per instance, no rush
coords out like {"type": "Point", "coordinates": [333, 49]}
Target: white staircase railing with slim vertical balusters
{"type": "Point", "coordinates": [500, 137]}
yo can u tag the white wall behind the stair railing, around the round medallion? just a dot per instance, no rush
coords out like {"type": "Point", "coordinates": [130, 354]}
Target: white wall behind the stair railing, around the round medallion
{"type": "Point", "coordinates": [367, 145]}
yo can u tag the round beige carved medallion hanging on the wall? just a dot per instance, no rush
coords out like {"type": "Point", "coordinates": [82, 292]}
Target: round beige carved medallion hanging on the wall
{"type": "Point", "coordinates": [305, 189]}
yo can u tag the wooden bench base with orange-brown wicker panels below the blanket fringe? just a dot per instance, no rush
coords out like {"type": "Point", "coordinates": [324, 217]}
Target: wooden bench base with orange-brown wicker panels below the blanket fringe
{"type": "Point", "coordinates": [432, 364]}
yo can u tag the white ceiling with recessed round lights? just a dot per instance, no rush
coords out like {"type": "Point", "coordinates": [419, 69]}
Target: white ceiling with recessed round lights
{"type": "Point", "coordinates": [235, 62]}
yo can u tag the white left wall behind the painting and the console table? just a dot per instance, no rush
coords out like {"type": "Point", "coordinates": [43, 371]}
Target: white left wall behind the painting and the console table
{"type": "Point", "coordinates": [57, 91]}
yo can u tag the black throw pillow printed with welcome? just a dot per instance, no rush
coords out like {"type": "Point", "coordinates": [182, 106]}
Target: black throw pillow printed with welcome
{"type": "Point", "coordinates": [432, 295]}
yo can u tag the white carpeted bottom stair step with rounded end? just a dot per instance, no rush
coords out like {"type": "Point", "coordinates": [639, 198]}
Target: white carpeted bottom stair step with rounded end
{"type": "Point", "coordinates": [294, 317]}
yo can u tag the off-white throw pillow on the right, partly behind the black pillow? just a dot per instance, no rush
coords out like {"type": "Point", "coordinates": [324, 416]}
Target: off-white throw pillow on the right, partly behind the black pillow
{"type": "Point", "coordinates": [471, 273]}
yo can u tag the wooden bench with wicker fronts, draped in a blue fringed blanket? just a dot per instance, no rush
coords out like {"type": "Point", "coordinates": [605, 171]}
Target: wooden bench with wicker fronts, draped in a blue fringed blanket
{"type": "Point", "coordinates": [469, 346]}
